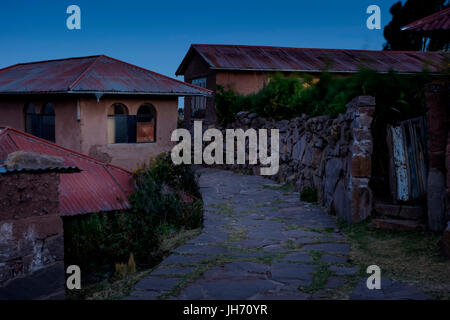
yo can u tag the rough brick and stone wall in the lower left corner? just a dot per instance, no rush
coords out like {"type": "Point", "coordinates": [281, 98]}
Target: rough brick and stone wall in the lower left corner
{"type": "Point", "coordinates": [31, 236]}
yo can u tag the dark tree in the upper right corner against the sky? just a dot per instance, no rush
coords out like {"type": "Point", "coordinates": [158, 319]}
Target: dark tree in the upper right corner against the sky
{"type": "Point", "coordinates": [403, 14]}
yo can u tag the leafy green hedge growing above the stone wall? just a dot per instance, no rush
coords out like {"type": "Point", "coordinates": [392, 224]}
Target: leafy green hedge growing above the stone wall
{"type": "Point", "coordinates": [398, 96]}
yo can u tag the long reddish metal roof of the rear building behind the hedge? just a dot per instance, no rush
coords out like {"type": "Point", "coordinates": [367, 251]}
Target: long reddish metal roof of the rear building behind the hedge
{"type": "Point", "coordinates": [262, 58]}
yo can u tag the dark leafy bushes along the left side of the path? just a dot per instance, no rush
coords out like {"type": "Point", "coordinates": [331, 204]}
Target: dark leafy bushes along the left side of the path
{"type": "Point", "coordinates": [167, 199]}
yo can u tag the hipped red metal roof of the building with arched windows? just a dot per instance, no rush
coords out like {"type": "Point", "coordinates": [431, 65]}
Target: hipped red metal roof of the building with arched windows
{"type": "Point", "coordinates": [94, 74]}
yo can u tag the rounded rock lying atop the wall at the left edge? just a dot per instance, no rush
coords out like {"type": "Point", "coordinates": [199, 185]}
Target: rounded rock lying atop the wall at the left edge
{"type": "Point", "coordinates": [32, 160]}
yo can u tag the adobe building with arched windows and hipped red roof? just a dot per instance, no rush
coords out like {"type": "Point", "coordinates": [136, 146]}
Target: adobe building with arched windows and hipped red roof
{"type": "Point", "coordinates": [99, 106]}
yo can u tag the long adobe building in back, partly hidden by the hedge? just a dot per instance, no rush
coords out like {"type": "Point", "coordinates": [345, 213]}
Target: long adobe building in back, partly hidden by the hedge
{"type": "Point", "coordinates": [247, 69]}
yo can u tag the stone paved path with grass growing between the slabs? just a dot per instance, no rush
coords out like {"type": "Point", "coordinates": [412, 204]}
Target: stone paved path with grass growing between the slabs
{"type": "Point", "coordinates": [258, 242]}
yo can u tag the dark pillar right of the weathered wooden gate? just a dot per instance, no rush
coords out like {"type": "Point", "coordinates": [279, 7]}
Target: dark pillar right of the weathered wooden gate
{"type": "Point", "coordinates": [437, 103]}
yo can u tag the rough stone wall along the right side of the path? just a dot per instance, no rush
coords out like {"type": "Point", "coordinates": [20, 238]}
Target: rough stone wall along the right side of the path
{"type": "Point", "coordinates": [331, 155]}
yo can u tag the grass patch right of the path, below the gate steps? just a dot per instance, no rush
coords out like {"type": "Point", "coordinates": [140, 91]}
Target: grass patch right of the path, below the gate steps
{"type": "Point", "coordinates": [412, 257]}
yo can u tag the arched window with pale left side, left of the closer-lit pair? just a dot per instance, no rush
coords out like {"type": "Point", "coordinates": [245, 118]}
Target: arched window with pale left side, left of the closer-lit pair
{"type": "Point", "coordinates": [118, 124]}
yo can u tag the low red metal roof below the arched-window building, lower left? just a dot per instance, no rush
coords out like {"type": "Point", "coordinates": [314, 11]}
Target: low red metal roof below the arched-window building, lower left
{"type": "Point", "coordinates": [98, 187]}
